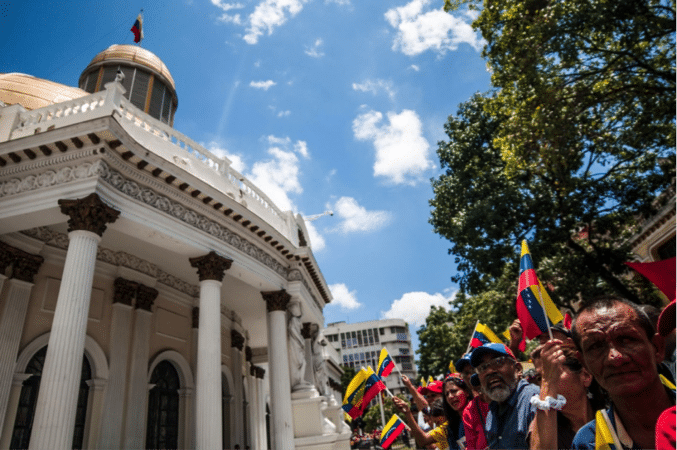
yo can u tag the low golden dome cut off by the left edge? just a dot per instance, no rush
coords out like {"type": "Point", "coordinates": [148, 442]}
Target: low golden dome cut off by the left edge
{"type": "Point", "coordinates": [33, 93]}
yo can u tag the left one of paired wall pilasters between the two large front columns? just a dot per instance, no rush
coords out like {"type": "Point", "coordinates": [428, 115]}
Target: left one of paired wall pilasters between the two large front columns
{"type": "Point", "coordinates": [114, 402]}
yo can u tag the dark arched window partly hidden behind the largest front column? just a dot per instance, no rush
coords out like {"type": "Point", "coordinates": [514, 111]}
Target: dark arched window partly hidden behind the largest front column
{"type": "Point", "coordinates": [23, 424]}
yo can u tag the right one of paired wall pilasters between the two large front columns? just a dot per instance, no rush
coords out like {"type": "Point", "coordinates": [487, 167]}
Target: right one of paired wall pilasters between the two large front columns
{"type": "Point", "coordinates": [137, 395]}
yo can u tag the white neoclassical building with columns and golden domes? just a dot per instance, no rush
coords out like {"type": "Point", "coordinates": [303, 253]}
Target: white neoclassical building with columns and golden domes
{"type": "Point", "coordinates": [150, 295]}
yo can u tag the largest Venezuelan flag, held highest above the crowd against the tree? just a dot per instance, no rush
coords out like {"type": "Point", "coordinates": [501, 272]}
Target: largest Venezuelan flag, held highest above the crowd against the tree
{"type": "Point", "coordinates": [530, 293]}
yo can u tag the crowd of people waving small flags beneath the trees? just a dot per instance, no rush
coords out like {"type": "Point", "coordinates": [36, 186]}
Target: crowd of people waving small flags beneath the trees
{"type": "Point", "coordinates": [608, 382]}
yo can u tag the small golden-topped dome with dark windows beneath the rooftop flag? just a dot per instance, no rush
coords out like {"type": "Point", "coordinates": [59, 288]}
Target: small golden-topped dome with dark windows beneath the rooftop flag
{"type": "Point", "coordinates": [149, 85]}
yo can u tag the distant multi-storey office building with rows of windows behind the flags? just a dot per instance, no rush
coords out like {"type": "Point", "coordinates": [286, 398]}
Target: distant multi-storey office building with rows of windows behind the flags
{"type": "Point", "coordinates": [360, 344]}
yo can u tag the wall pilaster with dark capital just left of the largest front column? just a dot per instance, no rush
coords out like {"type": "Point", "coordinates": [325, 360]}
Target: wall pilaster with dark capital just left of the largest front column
{"type": "Point", "coordinates": [13, 318]}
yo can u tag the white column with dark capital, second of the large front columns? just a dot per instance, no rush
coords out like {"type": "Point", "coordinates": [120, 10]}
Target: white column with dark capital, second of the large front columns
{"type": "Point", "coordinates": [211, 269]}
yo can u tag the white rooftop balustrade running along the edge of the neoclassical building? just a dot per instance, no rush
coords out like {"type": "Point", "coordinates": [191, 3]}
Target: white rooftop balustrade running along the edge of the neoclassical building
{"type": "Point", "coordinates": [162, 140]}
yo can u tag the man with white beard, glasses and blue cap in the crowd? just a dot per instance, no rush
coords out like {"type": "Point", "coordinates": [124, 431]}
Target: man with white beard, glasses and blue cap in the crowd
{"type": "Point", "coordinates": [510, 410]}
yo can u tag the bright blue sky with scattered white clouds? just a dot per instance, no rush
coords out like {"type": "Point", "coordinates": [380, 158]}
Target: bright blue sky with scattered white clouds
{"type": "Point", "coordinates": [324, 104]}
